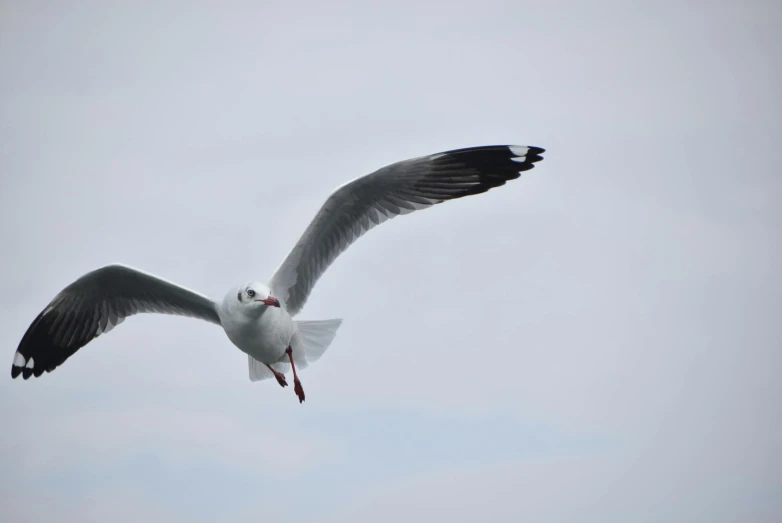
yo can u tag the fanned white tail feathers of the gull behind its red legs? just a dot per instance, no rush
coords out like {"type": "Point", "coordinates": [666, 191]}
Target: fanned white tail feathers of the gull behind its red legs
{"type": "Point", "coordinates": [309, 343]}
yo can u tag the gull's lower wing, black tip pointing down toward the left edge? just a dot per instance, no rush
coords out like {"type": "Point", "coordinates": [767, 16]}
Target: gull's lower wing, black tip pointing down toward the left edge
{"type": "Point", "coordinates": [93, 305]}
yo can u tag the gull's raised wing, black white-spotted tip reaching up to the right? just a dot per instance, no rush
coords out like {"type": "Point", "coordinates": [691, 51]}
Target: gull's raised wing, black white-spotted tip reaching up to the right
{"type": "Point", "coordinates": [396, 189]}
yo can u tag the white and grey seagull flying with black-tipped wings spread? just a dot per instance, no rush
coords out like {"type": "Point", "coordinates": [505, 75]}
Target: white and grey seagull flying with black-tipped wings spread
{"type": "Point", "coordinates": [257, 317]}
